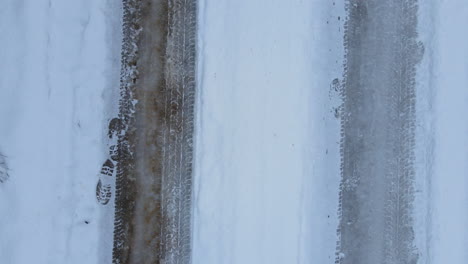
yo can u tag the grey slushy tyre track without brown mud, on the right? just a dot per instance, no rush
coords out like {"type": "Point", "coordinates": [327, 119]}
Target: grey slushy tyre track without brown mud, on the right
{"type": "Point", "coordinates": [378, 126]}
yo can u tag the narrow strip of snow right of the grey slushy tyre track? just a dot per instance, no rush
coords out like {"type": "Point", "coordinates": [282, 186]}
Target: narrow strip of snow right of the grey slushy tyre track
{"type": "Point", "coordinates": [449, 182]}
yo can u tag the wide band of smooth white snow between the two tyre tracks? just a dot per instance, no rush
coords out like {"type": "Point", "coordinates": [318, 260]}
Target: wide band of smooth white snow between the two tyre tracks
{"type": "Point", "coordinates": [267, 142]}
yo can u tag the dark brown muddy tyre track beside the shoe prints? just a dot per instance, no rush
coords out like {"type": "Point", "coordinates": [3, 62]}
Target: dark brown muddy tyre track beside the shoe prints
{"type": "Point", "coordinates": [154, 168]}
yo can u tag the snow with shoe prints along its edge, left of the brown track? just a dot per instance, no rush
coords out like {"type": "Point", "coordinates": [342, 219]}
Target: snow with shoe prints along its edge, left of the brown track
{"type": "Point", "coordinates": [59, 80]}
